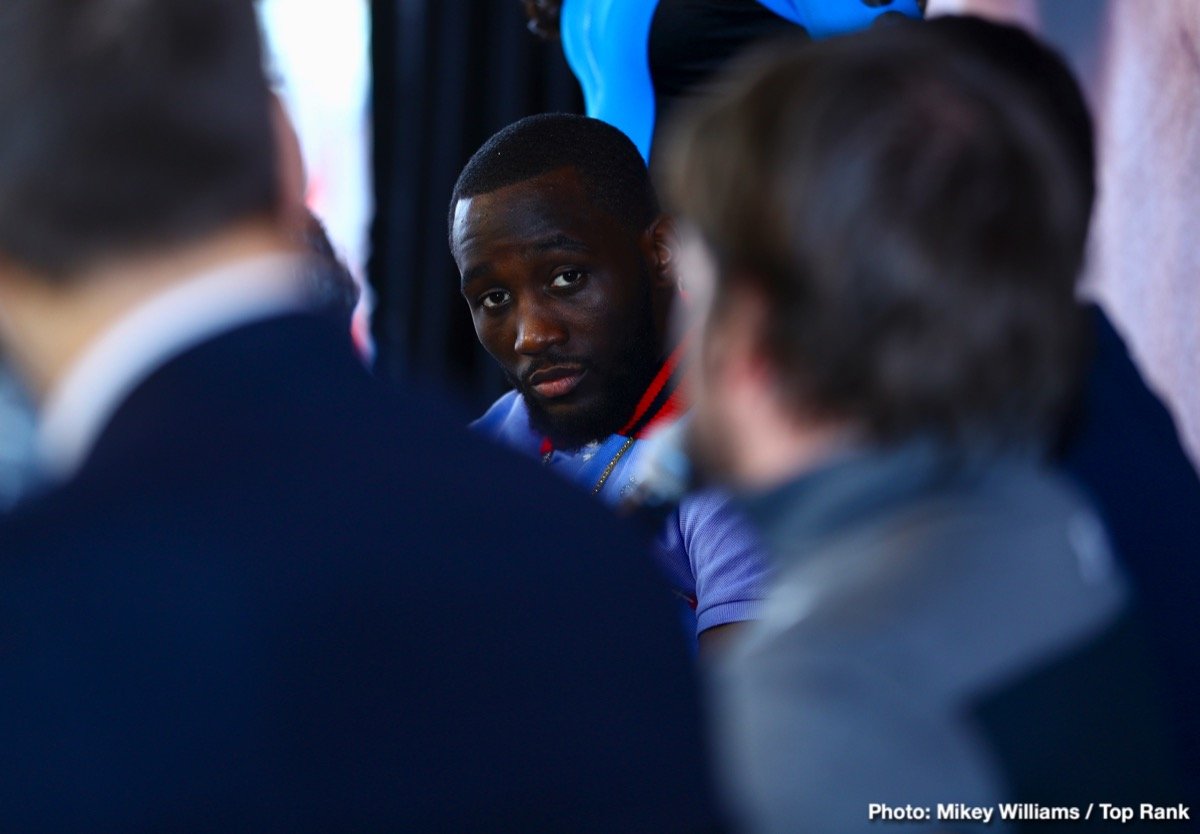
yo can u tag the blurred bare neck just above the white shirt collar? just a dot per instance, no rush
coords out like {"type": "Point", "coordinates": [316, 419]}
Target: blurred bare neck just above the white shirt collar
{"type": "Point", "coordinates": [50, 325]}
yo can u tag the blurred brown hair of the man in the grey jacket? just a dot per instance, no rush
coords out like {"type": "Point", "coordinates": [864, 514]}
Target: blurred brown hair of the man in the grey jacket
{"type": "Point", "coordinates": [915, 215]}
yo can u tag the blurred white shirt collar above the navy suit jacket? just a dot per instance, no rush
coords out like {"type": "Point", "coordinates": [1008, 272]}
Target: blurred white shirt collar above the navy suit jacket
{"type": "Point", "coordinates": [179, 319]}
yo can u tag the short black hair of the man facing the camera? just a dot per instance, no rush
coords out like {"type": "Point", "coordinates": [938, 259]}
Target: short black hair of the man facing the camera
{"type": "Point", "coordinates": [613, 171]}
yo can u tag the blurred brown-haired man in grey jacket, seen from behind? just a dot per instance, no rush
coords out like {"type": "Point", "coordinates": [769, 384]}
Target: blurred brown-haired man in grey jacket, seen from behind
{"type": "Point", "coordinates": [885, 236]}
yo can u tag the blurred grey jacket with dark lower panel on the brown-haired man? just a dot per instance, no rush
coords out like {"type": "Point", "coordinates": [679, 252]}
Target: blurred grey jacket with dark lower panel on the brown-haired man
{"type": "Point", "coordinates": [941, 632]}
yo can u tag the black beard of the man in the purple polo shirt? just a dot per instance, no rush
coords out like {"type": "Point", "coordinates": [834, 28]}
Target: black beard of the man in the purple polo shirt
{"type": "Point", "coordinates": [626, 382]}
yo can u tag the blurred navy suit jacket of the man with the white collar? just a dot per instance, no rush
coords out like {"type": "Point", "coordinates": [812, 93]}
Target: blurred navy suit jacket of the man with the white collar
{"type": "Point", "coordinates": [279, 598]}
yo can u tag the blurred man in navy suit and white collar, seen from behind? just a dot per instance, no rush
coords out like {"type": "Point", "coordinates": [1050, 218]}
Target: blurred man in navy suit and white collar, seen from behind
{"type": "Point", "coordinates": [263, 592]}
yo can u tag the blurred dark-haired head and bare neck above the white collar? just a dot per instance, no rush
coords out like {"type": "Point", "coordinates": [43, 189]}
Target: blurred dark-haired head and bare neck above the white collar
{"type": "Point", "coordinates": [137, 153]}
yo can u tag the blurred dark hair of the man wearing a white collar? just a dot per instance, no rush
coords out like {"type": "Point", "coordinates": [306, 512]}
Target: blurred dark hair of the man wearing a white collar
{"type": "Point", "coordinates": [127, 125]}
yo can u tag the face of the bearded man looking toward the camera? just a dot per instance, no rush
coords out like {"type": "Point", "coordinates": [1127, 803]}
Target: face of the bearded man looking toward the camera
{"type": "Point", "coordinates": [562, 296]}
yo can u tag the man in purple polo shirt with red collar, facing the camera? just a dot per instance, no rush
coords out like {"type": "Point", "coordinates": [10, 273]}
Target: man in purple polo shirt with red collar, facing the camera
{"type": "Point", "coordinates": [568, 273]}
